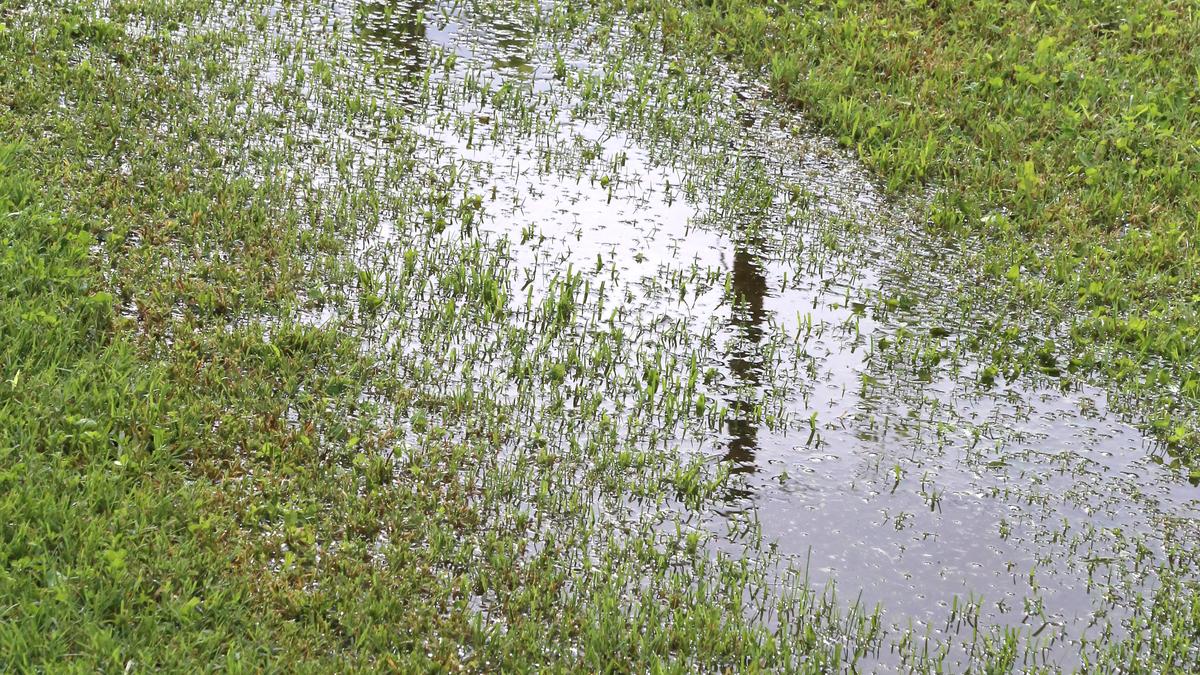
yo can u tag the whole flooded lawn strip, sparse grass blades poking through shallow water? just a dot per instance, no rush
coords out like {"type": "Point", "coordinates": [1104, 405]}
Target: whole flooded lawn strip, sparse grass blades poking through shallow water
{"type": "Point", "coordinates": [661, 308]}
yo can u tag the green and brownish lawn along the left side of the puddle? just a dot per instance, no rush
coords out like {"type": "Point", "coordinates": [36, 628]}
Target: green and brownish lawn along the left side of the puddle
{"type": "Point", "coordinates": [194, 479]}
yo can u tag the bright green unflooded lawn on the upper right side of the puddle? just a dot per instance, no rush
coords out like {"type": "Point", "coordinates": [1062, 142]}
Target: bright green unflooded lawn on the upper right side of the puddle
{"type": "Point", "coordinates": [1065, 138]}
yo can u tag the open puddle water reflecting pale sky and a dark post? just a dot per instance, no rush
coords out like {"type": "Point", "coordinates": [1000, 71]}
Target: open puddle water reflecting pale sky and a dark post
{"type": "Point", "coordinates": [722, 238]}
